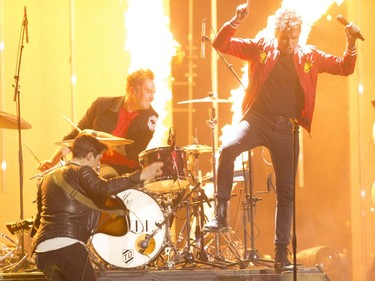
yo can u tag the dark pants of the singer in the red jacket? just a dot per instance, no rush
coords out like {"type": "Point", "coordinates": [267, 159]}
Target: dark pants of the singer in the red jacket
{"type": "Point", "coordinates": [276, 134]}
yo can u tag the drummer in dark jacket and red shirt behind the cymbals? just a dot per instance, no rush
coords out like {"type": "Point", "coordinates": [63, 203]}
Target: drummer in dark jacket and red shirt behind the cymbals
{"type": "Point", "coordinates": [130, 117]}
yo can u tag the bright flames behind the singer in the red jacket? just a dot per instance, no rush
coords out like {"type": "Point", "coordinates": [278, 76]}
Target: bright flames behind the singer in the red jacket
{"type": "Point", "coordinates": [311, 11]}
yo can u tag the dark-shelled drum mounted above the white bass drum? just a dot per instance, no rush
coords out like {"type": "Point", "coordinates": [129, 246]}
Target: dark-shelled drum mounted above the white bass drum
{"type": "Point", "coordinates": [175, 172]}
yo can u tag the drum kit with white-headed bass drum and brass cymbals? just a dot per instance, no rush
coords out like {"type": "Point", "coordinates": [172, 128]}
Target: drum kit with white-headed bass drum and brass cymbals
{"type": "Point", "coordinates": [153, 208]}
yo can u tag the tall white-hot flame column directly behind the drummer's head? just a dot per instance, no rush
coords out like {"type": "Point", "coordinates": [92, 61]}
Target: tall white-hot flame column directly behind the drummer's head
{"type": "Point", "coordinates": [151, 45]}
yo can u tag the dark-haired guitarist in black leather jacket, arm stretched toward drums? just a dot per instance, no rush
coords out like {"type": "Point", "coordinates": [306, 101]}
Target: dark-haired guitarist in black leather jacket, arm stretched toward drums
{"type": "Point", "coordinates": [65, 223]}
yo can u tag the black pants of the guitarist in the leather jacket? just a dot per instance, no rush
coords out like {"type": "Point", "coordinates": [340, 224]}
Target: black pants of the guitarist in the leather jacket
{"type": "Point", "coordinates": [70, 263]}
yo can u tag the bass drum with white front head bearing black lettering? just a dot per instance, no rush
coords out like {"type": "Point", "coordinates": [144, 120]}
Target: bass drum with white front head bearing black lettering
{"type": "Point", "coordinates": [144, 240]}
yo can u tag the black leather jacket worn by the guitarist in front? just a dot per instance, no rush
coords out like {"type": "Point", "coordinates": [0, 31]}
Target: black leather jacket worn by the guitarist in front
{"type": "Point", "coordinates": [61, 215]}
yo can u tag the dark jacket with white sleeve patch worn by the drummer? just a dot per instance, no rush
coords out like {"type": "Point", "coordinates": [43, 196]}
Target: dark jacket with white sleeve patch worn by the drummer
{"type": "Point", "coordinates": [103, 116]}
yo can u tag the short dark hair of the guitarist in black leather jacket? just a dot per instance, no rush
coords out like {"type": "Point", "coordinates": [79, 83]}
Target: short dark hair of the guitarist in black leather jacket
{"type": "Point", "coordinates": [84, 144]}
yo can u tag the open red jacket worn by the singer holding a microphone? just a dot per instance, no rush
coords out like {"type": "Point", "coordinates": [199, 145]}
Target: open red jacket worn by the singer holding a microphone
{"type": "Point", "coordinates": [262, 56]}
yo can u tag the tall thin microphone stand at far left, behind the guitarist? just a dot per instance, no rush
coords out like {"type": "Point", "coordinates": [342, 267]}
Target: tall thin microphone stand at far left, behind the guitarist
{"type": "Point", "coordinates": [21, 255]}
